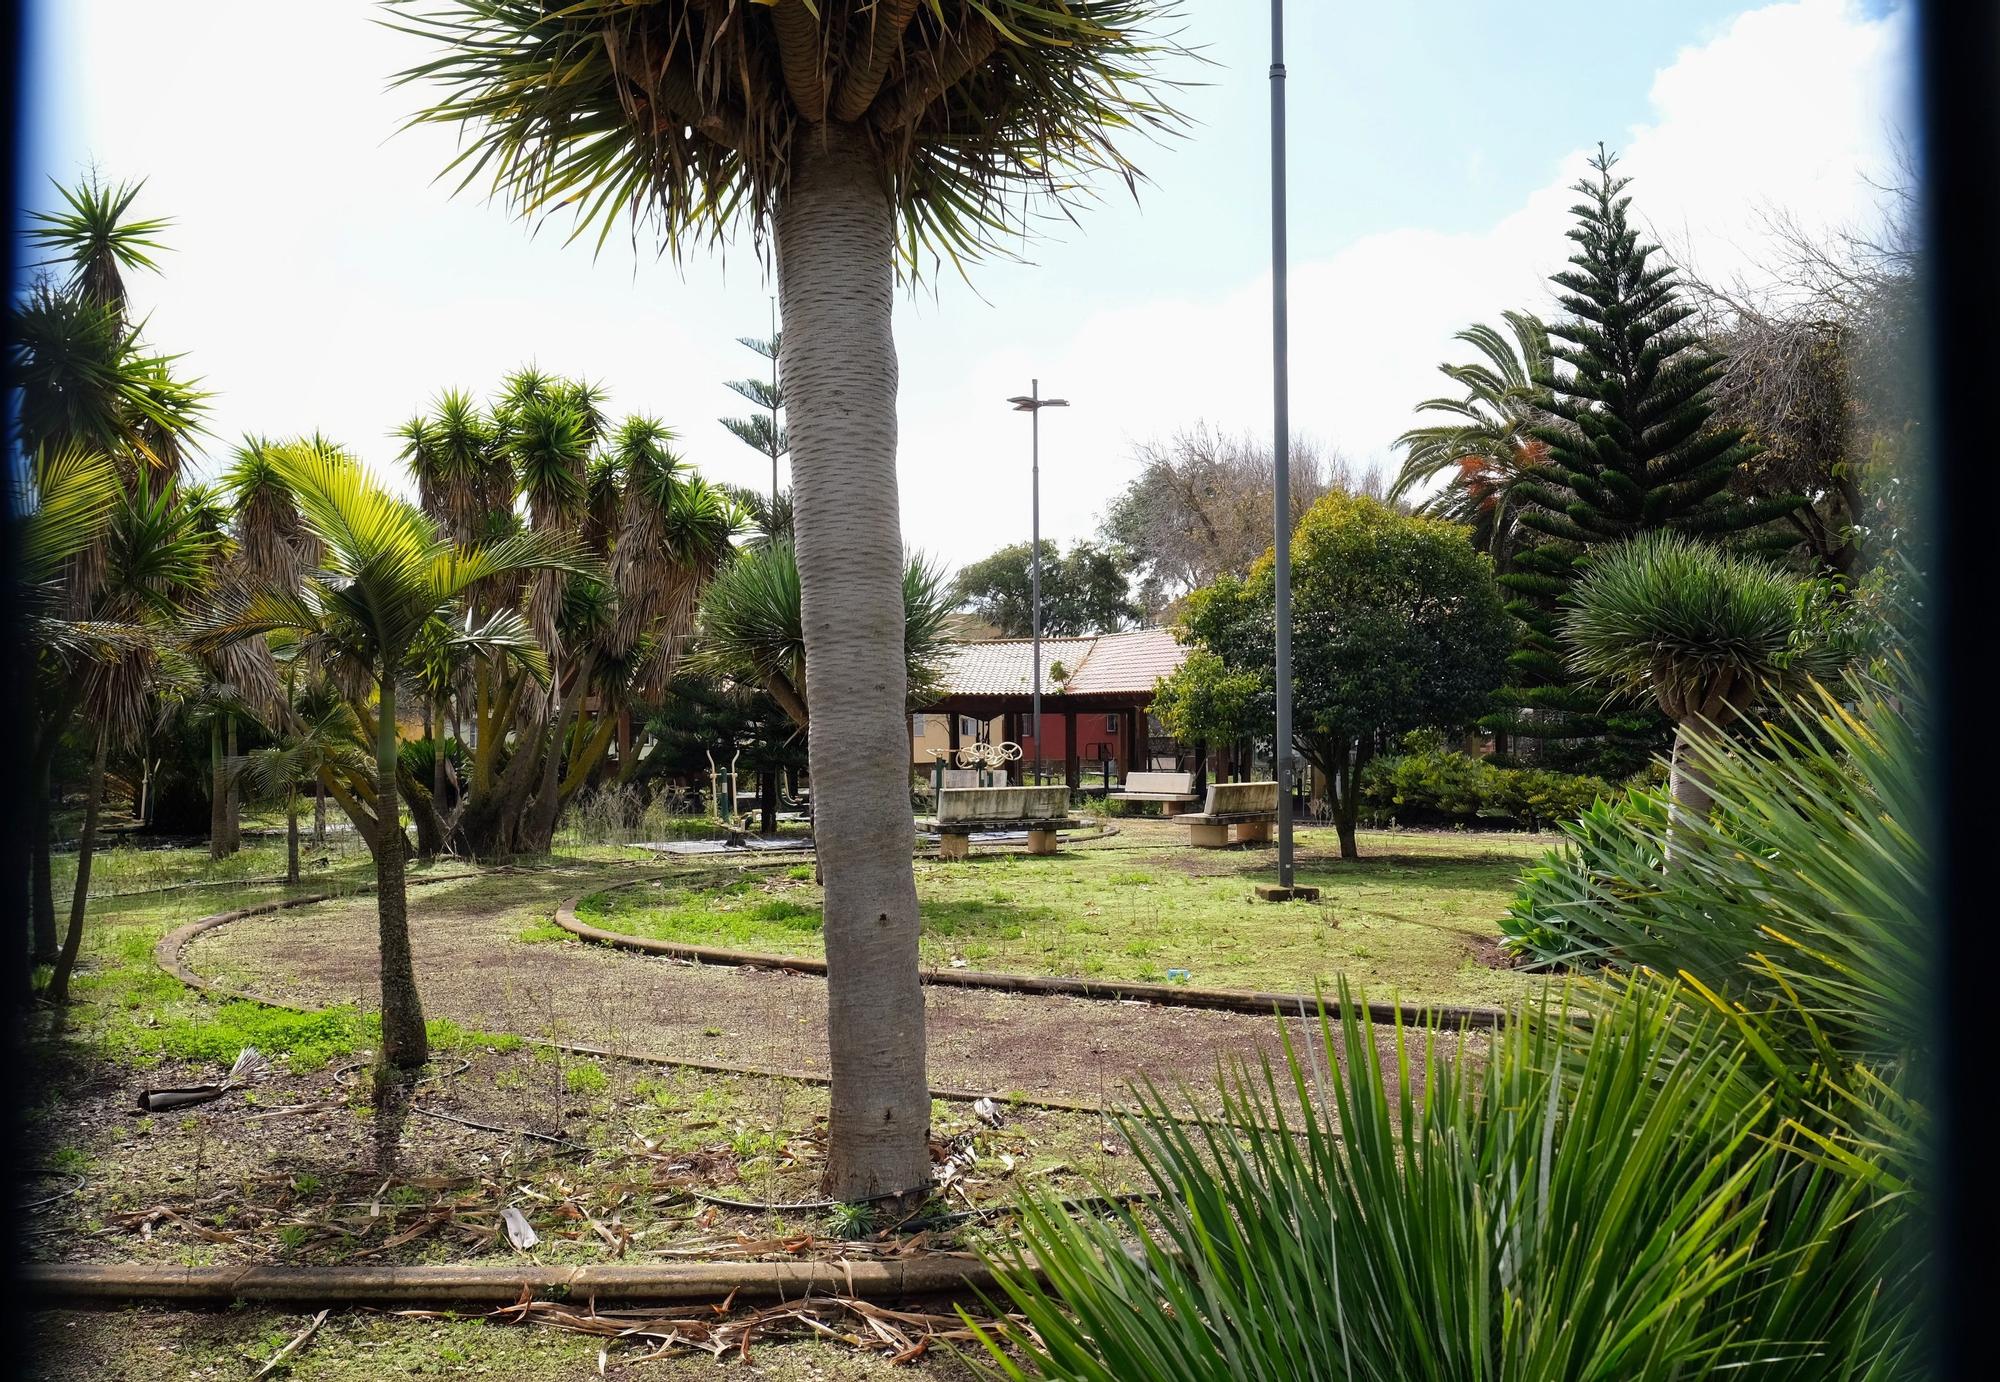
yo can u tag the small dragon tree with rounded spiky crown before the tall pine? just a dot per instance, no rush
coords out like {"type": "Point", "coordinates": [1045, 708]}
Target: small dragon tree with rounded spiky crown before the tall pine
{"type": "Point", "coordinates": [1705, 633]}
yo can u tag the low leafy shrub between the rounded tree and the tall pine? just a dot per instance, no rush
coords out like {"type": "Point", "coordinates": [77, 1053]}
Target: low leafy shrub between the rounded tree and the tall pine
{"type": "Point", "coordinates": [1437, 785]}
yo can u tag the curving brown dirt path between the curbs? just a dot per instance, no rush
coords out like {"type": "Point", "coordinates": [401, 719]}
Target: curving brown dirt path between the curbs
{"type": "Point", "coordinates": [477, 971]}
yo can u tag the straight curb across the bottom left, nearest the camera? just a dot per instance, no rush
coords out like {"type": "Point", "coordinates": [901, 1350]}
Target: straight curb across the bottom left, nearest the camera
{"type": "Point", "coordinates": [641, 1283]}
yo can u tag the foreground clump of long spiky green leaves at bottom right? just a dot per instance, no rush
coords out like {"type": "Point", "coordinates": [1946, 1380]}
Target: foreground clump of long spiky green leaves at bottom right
{"type": "Point", "coordinates": [1593, 1201]}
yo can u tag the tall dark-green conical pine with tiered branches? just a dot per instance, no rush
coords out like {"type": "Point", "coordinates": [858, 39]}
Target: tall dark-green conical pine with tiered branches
{"type": "Point", "coordinates": [1631, 449]}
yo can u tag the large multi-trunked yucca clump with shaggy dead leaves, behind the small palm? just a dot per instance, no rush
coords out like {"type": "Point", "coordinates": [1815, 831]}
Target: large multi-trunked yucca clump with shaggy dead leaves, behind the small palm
{"type": "Point", "coordinates": [545, 457]}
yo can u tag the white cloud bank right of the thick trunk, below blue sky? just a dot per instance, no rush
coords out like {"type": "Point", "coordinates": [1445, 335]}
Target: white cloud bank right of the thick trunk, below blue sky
{"type": "Point", "coordinates": [1791, 107]}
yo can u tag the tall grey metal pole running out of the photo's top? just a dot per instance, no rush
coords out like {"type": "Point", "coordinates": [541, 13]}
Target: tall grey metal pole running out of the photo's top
{"type": "Point", "coordinates": [1281, 443]}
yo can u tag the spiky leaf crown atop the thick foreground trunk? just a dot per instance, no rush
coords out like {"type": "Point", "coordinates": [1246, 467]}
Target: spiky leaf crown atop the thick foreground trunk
{"type": "Point", "coordinates": [683, 115]}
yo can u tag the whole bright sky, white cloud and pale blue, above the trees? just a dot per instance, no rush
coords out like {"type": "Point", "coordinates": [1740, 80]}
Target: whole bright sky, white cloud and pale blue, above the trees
{"type": "Point", "coordinates": [325, 279]}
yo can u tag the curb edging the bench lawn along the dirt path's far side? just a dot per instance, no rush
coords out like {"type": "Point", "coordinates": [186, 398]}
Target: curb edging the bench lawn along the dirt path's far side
{"type": "Point", "coordinates": [1259, 1005]}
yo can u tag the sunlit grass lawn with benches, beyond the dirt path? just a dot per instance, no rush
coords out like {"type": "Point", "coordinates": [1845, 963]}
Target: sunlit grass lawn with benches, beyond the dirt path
{"type": "Point", "coordinates": [1415, 917]}
